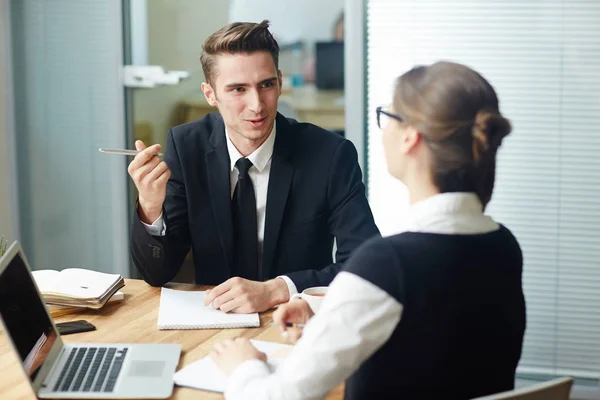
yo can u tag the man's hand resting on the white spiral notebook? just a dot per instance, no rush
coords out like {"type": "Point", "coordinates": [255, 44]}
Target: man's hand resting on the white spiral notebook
{"type": "Point", "coordinates": [239, 295]}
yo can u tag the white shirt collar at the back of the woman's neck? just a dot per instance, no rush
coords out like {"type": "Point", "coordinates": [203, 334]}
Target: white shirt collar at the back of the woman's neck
{"type": "Point", "coordinates": [450, 213]}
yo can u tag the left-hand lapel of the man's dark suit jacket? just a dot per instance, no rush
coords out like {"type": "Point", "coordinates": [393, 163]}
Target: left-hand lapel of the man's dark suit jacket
{"type": "Point", "coordinates": [218, 169]}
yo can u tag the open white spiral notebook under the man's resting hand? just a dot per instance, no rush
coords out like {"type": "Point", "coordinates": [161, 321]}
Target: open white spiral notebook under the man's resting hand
{"type": "Point", "coordinates": [181, 309]}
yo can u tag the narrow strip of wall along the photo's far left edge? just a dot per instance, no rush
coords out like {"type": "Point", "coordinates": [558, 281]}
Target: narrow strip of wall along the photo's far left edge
{"type": "Point", "coordinates": [6, 195]}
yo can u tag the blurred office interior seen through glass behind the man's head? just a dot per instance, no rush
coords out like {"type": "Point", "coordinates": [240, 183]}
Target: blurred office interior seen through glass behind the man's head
{"type": "Point", "coordinates": [177, 29]}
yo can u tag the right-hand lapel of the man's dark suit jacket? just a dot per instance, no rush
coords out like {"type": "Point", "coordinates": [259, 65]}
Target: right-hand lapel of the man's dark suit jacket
{"type": "Point", "coordinates": [280, 180]}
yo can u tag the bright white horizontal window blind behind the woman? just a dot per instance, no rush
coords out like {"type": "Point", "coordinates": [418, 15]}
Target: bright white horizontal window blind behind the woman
{"type": "Point", "coordinates": [543, 58]}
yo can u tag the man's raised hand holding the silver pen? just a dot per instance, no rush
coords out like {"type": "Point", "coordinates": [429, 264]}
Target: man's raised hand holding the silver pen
{"type": "Point", "coordinates": [150, 175]}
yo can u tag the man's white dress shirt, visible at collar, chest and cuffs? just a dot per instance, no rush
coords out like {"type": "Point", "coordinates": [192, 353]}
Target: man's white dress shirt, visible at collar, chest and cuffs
{"type": "Point", "coordinates": [259, 175]}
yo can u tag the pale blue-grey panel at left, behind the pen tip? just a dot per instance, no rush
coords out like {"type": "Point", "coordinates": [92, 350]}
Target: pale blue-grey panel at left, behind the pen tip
{"type": "Point", "coordinates": [67, 62]}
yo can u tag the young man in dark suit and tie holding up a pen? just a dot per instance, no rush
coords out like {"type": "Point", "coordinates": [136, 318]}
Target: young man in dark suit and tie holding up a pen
{"type": "Point", "coordinates": [257, 196]}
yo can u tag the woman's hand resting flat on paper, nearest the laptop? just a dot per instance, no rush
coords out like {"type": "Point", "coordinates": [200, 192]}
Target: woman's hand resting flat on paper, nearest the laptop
{"type": "Point", "coordinates": [231, 353]}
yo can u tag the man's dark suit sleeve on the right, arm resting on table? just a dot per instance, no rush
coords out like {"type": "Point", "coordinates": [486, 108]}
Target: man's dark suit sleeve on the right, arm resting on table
{"type": "Point", "coordinates": [350, 220]}
